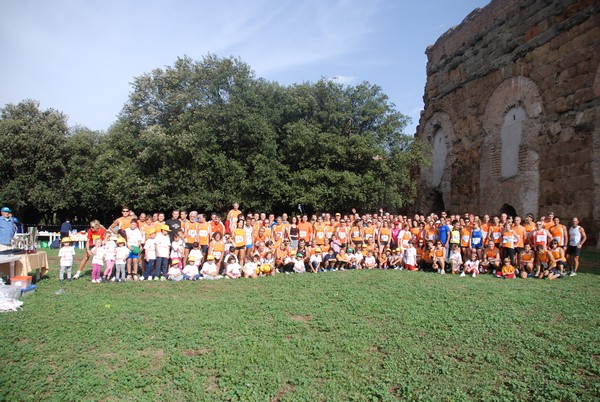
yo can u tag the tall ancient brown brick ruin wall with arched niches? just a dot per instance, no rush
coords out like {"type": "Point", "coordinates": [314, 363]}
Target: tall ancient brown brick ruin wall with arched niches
{"type": "Point", "coordinates": [512, 112]}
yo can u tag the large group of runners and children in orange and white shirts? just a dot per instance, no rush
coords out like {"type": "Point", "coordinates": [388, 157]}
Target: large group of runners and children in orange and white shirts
{"type": "Point", "coordinates": [194, 246]}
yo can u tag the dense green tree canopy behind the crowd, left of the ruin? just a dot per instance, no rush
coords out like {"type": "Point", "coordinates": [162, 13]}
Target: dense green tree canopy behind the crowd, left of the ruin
{"type": "Point", "coordinates": [203, 134]}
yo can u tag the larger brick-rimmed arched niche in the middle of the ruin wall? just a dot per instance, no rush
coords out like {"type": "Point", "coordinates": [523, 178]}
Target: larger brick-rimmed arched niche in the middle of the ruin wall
{"type": "Point", "coordinates": [509, 168]}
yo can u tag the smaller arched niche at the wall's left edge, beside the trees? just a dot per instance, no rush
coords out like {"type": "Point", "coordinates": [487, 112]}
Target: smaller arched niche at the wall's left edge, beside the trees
{"type": "Point", "coordinates": [439, 133]}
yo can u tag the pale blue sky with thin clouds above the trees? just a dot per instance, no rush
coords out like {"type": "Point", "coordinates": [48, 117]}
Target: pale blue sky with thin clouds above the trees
{"type": "Point", "coordinates": [80, 57]}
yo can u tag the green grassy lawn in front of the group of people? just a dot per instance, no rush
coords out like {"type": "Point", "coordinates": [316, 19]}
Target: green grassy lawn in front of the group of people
{"type": "Point", "coordinates": [376, 335]}
